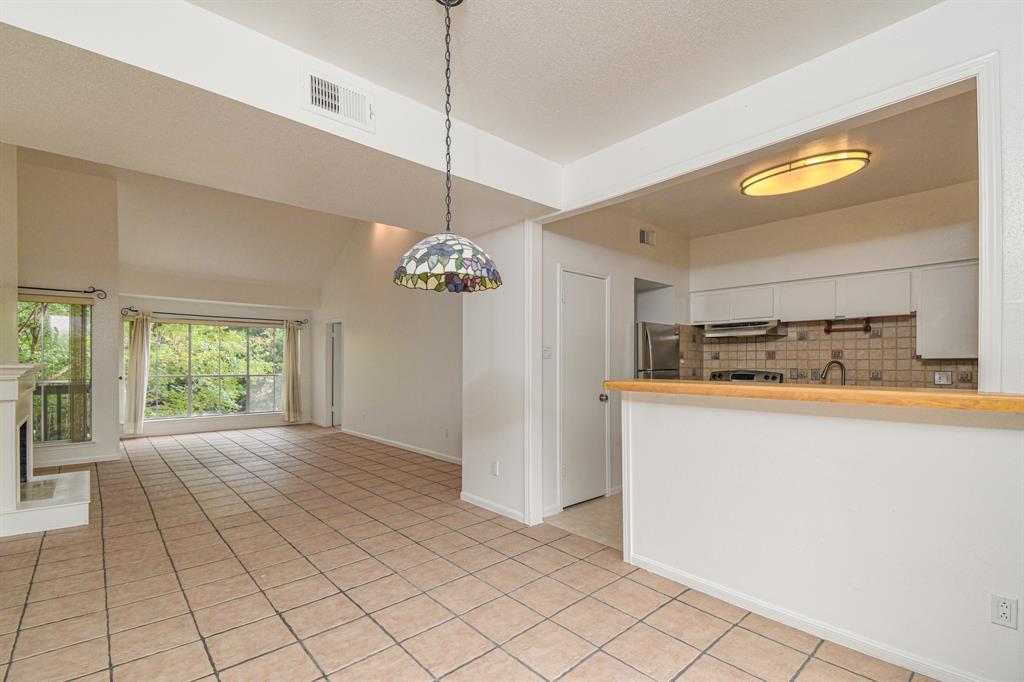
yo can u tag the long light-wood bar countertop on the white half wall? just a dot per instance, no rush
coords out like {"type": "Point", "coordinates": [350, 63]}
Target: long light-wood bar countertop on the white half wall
{"type": "Point", "coordinates": [900, 398]}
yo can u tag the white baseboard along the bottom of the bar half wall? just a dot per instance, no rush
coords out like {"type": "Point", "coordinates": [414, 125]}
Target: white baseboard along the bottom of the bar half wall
{"type": "Point", "coordinates": [846, 638]}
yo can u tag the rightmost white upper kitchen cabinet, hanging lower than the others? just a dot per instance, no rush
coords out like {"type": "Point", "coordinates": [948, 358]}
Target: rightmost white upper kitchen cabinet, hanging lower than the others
{"type": "Point", "coordinates": [948, 312]}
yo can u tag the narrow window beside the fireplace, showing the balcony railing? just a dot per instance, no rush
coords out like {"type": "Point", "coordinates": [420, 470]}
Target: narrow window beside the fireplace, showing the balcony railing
{"type": "Point", "coordinates": [57, 333]}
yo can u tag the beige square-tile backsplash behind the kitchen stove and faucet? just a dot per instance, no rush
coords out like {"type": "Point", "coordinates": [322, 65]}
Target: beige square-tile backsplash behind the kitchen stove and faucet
{"type": "Point", "coordinates": [882, 358]}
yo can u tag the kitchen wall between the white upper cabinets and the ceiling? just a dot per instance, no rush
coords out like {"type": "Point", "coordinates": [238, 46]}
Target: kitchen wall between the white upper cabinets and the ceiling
{"type": "Point", "coordinates": [934, 227]}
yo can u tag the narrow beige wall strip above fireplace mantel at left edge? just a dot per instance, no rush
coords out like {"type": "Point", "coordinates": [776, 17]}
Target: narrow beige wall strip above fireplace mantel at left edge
{"type": "Point", "coordinates": [9, 253]}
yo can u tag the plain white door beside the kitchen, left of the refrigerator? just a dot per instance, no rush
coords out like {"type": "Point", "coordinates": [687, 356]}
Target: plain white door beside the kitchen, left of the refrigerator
{"type": "Point", "coordinates": [584, 404]}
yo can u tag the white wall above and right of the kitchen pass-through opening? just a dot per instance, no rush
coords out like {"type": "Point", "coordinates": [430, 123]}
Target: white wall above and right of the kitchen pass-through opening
{"type": "Point", "coordinates": [845, 82]}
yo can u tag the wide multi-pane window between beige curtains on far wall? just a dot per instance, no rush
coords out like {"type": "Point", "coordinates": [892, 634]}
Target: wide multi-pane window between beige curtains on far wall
{"type": "Point", "coordinates": [198, 370]}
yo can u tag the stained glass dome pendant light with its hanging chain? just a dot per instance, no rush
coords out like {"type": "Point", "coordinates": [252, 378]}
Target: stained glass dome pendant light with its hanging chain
{"type": "Point", "coordinates": [447, 262]}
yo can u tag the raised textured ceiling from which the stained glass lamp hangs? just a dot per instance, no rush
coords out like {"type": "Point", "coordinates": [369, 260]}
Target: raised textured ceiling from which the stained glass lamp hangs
{"type": "Point", "coordinates": [565, 78]}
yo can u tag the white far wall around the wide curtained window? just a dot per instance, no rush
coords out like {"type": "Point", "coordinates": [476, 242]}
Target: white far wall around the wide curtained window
{"type": "Point", "coordinates": [175, 427]}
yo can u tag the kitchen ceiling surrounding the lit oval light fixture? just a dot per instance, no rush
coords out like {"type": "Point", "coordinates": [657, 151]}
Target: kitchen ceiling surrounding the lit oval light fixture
{"type": "Point", "coordinates": [919, 145]}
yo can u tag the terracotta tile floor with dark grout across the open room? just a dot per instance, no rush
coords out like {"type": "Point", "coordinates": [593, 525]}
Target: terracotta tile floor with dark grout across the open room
{"type": "Point", "coordinates": [303, 555]}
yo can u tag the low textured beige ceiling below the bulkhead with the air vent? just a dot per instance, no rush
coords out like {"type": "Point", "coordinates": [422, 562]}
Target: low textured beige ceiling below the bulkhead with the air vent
{"type": "Point", "coordinates": [67, 101]}
